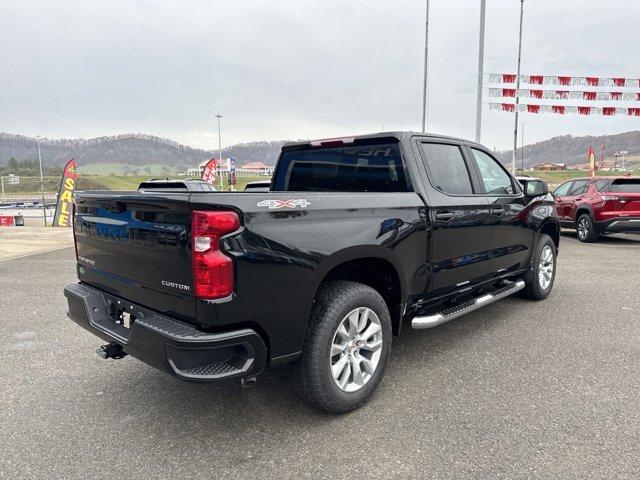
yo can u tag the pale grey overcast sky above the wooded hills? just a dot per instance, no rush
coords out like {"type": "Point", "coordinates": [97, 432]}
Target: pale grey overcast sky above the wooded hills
{"type": "Point", "coordinates": [288, 69]}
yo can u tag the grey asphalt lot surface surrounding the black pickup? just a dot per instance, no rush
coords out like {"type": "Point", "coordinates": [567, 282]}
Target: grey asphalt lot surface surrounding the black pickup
{"type": "Point", "coordinates": [517, 389]}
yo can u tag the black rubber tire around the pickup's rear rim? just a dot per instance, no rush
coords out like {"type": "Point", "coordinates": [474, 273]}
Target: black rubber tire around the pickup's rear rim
{"type": "Point", "coordinates": [332, 304]}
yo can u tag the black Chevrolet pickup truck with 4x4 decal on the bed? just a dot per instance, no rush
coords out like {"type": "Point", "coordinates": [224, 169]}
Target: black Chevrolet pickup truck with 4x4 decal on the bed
{"type": "Point", "coordinates": [355, 238]}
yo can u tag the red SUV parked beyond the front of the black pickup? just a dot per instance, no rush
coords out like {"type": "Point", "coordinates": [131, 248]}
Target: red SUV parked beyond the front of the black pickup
{"type": "Point", "coordinates": [595, 206]}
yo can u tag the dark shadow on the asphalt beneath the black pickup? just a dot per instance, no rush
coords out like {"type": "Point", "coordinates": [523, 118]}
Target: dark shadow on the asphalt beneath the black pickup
{"type": "Point", "coordinates": [274, 403]}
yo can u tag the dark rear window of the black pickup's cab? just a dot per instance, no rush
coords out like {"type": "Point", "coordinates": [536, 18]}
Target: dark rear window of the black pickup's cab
{"type": "Point", "coordinates": [369, 165]}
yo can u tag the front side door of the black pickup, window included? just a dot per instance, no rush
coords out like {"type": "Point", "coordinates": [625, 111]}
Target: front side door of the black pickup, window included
{"type": "Point", "coordinates": [511, 234]}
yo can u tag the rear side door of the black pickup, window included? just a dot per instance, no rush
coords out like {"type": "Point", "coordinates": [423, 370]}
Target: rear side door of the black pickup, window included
{"type": "Point", "coordinates": [459, 216]}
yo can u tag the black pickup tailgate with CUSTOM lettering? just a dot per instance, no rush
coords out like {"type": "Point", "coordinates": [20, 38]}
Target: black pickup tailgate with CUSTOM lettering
{"type": "Point", "coordinates": [137, 246]}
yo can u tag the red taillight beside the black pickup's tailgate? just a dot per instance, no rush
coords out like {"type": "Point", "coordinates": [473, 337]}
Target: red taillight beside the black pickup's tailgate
{"type": "Point", "coordinates": [212, 269]}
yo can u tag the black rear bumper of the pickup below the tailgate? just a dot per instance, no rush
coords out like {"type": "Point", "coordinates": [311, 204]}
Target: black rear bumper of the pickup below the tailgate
{"type": "Point", "coordinates": [167, 344]}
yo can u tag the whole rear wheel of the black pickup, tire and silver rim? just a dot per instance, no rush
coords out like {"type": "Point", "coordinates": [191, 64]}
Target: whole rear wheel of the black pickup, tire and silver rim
{"type": "Point", "coordinates": [346, 348]}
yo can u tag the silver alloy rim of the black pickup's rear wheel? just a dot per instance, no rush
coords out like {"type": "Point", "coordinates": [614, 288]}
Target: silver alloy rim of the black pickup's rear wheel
{"type": "Point", "coordinates": [356, 349]}
